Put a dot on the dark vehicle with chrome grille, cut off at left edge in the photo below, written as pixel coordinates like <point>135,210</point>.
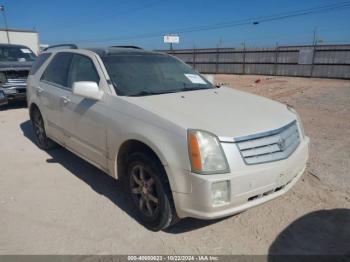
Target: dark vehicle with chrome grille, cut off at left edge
<point>15,63</point>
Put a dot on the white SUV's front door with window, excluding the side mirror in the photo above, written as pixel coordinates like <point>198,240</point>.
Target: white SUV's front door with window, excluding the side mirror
<point>83,118</point>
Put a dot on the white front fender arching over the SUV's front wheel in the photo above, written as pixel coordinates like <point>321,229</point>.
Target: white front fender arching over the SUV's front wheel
<point>129,122</point>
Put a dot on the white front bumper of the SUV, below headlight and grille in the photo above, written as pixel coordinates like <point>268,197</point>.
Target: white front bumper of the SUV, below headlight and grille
<point>221,195</point>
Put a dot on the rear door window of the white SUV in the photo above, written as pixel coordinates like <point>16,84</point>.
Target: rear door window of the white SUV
<point>57,70</point>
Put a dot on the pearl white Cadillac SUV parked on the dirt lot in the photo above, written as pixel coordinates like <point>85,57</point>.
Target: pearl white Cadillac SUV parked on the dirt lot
<point>181,146</point>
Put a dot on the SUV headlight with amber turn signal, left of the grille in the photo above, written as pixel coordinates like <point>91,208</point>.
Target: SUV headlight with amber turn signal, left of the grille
<point>205,152</point>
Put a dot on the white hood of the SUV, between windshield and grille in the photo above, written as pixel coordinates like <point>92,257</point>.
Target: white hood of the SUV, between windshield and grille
<point>226,112</point>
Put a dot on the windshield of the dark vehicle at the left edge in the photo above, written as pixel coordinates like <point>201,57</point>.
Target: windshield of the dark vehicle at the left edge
<point>15,54</point>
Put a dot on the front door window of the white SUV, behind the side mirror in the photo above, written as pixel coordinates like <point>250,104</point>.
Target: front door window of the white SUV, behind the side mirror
<point>82,69</point>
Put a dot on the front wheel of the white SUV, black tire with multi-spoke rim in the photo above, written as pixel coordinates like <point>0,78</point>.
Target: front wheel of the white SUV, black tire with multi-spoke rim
<point>148,192</point>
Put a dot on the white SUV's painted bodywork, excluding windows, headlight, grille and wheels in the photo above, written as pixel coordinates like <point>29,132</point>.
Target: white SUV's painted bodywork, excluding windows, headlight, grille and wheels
<point>96,129</point>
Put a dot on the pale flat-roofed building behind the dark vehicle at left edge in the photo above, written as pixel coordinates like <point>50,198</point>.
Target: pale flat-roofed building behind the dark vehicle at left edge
<point>29,38</point>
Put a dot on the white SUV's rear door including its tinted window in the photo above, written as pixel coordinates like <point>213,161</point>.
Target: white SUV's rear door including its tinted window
<point>55,92</point>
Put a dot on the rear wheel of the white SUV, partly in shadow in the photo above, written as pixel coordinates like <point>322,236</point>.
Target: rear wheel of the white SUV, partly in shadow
<point>42,141</point>
